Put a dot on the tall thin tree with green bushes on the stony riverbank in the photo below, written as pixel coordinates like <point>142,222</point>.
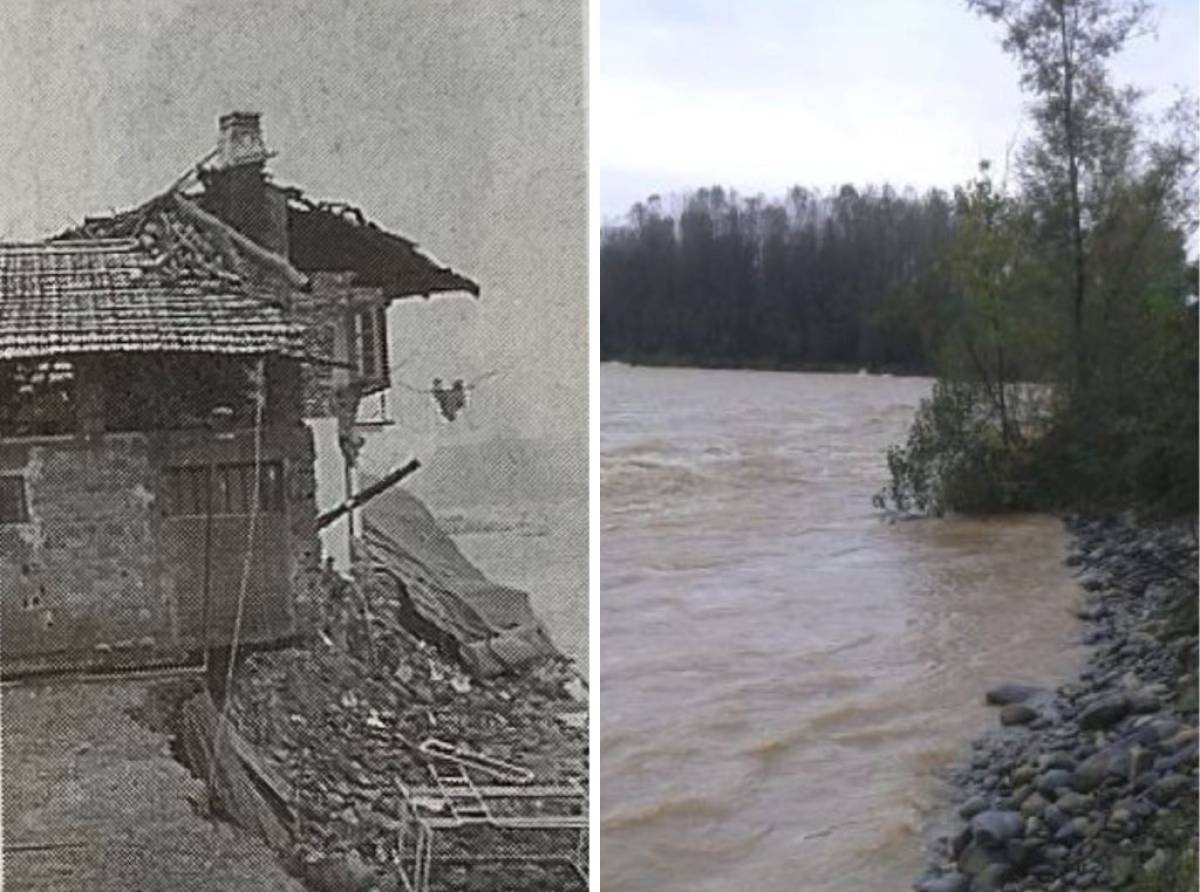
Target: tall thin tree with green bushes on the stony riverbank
<point>1096,240</point>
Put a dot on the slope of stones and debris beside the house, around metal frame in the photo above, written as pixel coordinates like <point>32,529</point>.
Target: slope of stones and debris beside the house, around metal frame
<point>341,719</point>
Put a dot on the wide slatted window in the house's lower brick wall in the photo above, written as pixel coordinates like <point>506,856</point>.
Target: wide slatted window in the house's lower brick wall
<point>232,489</point>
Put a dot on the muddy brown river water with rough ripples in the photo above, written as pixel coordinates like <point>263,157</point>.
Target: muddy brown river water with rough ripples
<point>783,672</point>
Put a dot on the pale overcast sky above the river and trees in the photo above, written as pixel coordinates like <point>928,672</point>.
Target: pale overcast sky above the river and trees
<point>765,94</point>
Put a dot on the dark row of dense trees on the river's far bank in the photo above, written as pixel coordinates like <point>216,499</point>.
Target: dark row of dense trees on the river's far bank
<point>815,280</point>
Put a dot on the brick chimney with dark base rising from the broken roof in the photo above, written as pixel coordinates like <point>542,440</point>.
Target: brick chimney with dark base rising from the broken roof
<point>238,189</point>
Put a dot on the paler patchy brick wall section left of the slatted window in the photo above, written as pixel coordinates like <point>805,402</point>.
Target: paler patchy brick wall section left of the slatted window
<point>80,577</point>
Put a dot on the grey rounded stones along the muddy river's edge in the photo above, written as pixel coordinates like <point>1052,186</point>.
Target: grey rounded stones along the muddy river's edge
<point>1093,787</point>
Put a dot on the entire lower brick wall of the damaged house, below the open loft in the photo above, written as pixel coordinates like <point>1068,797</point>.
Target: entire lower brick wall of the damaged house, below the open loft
<point>99,574</point>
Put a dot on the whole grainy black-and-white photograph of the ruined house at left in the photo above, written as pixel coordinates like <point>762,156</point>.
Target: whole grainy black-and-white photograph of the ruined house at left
<point>293,446</point>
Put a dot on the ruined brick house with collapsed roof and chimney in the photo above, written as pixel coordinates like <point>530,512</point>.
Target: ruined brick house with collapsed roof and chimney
<point>161,373</point>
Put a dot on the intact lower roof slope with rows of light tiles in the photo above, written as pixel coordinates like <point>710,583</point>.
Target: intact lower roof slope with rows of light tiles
<point>129,296</point>
